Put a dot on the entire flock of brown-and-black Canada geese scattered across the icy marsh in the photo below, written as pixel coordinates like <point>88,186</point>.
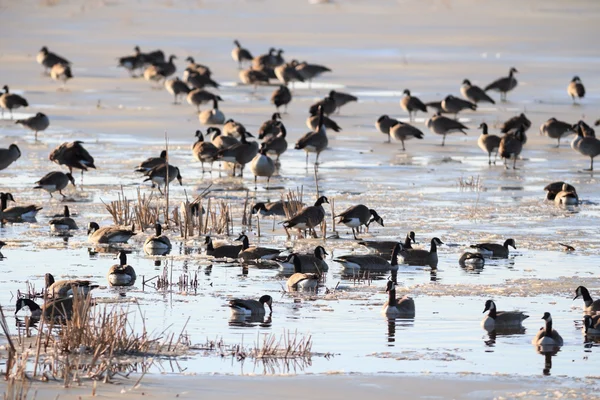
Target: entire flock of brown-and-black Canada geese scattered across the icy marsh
<point>228,141</point>
